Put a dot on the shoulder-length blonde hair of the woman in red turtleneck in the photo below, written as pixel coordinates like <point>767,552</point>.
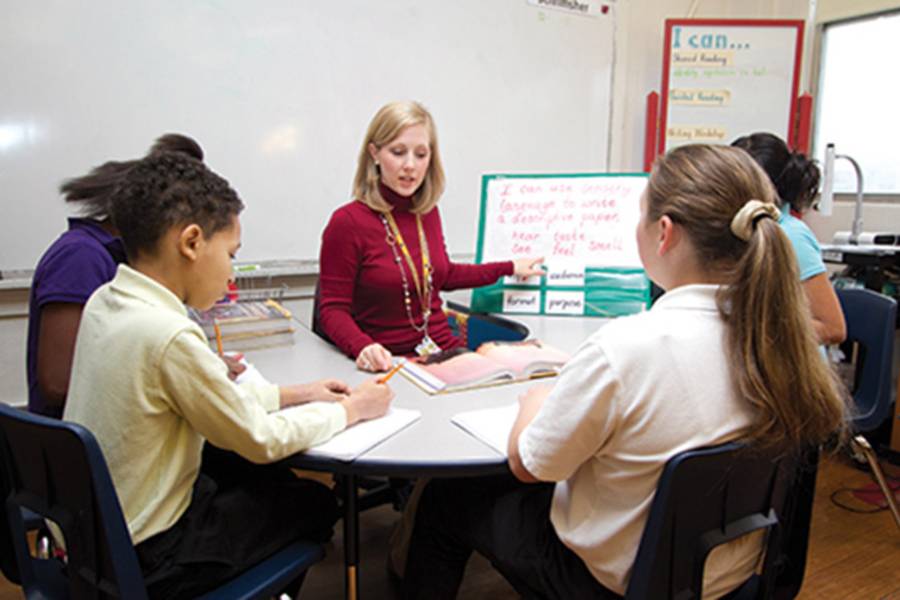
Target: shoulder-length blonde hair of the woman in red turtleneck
<point>390,120</point>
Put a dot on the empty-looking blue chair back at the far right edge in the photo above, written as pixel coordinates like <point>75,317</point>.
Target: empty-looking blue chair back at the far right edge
<point>871,319</point>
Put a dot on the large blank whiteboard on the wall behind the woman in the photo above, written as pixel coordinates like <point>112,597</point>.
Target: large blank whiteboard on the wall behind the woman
<point>280,93</point>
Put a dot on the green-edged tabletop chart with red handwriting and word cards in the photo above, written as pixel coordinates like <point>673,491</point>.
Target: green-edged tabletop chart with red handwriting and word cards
<point>582,224</point>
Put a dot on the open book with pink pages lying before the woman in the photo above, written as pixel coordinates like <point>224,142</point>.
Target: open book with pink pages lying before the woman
<point>492,363</point>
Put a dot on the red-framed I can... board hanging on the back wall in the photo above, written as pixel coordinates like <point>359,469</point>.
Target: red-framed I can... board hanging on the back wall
<point>726,78</point>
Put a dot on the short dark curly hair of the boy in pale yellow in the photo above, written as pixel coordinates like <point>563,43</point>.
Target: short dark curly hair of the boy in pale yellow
<point>167,189</point>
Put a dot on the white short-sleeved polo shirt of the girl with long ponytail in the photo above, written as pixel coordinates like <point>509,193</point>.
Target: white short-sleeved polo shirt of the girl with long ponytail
<point>640,390</point>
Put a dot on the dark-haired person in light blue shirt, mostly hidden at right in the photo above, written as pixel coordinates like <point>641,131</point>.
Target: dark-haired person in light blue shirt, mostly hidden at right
<point>796,181</point>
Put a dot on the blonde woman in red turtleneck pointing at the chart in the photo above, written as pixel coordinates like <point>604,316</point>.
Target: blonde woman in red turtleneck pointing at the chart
<point>383,259</point>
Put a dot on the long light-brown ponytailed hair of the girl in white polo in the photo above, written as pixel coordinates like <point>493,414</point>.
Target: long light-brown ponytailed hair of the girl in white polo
<point>771,342</point>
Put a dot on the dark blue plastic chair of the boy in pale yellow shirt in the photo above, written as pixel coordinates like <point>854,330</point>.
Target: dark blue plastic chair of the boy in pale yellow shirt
<point>57,470</point>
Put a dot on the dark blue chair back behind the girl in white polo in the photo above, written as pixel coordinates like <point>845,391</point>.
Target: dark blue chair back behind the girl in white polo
<point>710,496</point>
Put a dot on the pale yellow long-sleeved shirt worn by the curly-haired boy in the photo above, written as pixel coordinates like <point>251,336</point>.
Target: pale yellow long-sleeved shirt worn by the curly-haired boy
<point>146,383</point>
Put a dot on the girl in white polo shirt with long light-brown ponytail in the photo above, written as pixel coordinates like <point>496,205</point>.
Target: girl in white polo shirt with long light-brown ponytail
<point>728,353</point>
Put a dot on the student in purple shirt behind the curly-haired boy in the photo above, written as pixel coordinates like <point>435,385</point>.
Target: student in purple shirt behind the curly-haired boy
<point>77,263</point>
